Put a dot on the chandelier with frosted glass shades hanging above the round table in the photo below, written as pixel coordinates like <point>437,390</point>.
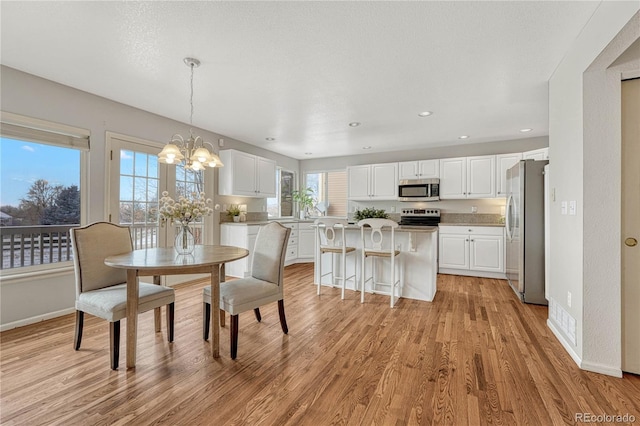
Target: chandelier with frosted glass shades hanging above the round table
<point>191,151</point>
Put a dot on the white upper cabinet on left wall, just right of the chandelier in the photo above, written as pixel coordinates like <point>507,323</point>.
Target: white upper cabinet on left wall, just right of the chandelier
<point>246,175</point>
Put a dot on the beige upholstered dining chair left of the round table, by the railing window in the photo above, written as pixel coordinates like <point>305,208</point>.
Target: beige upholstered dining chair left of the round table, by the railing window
<point>102,291</point>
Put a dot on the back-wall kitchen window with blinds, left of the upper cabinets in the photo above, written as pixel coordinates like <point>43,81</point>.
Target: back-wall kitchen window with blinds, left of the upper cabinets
<point>330,189</point>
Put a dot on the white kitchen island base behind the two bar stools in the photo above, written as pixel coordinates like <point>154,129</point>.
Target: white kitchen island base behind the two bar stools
<point>418,260</point>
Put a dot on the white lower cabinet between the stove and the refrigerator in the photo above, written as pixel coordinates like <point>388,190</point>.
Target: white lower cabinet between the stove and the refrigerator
<point>471,250</point>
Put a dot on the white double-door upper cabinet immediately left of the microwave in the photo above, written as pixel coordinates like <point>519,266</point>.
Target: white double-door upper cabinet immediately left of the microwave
<point>373,182</point>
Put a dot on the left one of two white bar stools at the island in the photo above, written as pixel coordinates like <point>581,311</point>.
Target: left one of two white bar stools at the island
<point>330,238</point>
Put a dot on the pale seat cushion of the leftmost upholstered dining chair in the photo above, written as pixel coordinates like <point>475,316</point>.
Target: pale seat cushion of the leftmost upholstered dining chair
<point>110,303</point>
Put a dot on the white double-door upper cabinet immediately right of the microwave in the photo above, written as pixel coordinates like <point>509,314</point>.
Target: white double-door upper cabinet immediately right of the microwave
<point>468,177</point>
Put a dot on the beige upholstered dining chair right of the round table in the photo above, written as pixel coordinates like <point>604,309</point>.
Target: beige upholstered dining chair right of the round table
<point>265,285</point>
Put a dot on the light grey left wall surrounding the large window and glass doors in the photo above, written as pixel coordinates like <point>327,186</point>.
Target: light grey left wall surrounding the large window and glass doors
<point>34,298</point>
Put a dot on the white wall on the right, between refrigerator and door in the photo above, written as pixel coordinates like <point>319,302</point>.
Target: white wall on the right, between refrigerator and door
<point>584,144</point>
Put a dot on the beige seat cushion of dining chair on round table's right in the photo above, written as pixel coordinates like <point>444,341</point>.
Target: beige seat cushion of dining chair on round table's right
<point>244,294</point>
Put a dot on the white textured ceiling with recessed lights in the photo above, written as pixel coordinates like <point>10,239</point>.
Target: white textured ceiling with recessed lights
<point>301,71</point>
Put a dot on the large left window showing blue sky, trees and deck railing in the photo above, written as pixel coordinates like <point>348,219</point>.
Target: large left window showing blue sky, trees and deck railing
<point>41,176</point>
